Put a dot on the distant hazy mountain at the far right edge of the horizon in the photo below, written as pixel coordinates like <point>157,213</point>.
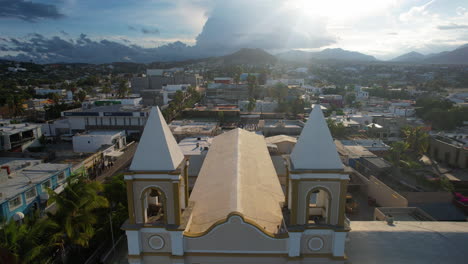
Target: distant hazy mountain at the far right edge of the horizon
<point>456,56</point>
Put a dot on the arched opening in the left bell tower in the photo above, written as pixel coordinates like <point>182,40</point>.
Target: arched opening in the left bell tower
<point>154,207</point>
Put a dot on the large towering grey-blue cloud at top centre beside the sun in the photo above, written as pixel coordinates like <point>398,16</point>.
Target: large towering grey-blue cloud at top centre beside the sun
<point>260,24</point>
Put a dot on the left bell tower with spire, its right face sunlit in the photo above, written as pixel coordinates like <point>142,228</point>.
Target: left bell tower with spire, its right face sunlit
<point>156,184</point>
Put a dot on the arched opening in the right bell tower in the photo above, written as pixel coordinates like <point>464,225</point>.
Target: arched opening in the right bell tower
<point>319,206</point>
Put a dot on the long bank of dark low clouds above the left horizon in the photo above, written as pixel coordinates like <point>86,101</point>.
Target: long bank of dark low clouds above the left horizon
<point>42,49</point>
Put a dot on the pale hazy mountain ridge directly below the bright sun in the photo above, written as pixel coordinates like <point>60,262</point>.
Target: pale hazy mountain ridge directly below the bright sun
<point>326,54</point>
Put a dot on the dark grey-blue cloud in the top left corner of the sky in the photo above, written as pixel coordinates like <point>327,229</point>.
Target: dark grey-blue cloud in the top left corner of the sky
<point>28,11</point>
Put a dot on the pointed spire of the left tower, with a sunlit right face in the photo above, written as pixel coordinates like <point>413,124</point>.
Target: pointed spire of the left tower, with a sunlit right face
<point>158,149</point>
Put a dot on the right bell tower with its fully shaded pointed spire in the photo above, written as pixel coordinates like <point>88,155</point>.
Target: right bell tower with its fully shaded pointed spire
<point>317,183</point>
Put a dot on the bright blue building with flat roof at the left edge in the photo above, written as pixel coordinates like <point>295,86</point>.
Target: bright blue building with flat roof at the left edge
<point>24,183</point>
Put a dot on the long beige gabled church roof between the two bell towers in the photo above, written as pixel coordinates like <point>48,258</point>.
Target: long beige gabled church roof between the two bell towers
<point>237,176</point>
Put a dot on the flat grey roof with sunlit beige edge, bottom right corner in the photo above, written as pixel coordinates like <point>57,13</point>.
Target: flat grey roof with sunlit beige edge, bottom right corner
<point>407,242</point>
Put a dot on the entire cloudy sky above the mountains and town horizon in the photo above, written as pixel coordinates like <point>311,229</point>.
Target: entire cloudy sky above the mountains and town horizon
<point>56,29</point>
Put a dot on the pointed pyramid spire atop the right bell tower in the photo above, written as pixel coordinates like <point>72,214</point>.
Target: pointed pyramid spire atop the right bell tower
<point>315,149</point>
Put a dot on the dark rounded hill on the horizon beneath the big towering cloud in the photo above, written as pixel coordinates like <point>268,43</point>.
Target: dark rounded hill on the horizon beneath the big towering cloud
<point>248,56</point>
